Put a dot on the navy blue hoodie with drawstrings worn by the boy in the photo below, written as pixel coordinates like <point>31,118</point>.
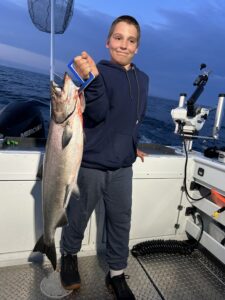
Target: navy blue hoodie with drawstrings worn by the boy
<point>115,105</point>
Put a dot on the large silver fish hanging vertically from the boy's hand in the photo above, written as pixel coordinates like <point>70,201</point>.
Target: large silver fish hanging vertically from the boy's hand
<point>64,149</point>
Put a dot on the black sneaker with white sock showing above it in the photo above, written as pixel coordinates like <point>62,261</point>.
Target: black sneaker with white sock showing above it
<point>119,287</point>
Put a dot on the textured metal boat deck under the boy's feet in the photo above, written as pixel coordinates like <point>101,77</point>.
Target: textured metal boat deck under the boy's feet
<point>156,276</point>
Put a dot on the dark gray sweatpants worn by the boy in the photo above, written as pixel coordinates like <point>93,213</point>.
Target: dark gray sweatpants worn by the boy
<point>115,189</point>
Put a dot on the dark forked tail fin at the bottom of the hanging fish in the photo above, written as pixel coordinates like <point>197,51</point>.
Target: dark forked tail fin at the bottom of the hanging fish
<point>49,250</point>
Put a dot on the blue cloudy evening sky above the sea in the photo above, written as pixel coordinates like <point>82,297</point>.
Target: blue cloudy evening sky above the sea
<point>176,37</point>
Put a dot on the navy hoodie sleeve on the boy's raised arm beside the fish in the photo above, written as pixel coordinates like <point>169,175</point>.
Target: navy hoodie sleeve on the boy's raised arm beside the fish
<point>97,102</point>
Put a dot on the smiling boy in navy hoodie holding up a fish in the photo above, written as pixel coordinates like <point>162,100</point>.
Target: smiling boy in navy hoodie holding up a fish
<point>115,105</point>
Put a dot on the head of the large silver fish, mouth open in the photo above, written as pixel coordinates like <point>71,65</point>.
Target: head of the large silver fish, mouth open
<point>64,100</point>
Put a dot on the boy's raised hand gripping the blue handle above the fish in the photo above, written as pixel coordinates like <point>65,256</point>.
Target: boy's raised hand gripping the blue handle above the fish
<point>84,64</point>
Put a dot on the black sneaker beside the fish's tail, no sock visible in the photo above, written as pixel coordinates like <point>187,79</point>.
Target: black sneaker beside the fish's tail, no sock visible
<point>70,277</point>
